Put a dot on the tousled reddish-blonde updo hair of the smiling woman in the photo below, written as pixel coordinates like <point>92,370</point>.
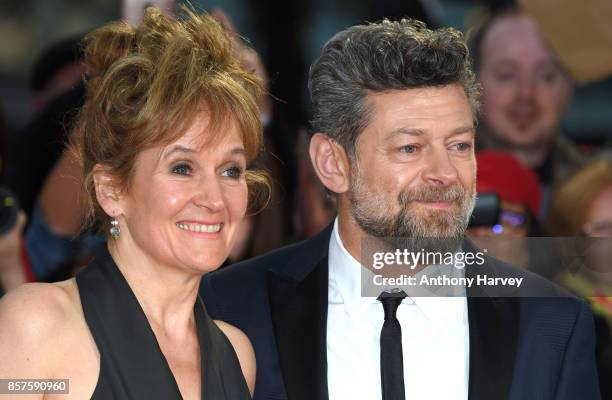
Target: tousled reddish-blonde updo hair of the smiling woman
<point>146,84</point>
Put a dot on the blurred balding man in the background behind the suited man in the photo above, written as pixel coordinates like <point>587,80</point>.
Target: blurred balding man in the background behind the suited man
<point>526,91</point>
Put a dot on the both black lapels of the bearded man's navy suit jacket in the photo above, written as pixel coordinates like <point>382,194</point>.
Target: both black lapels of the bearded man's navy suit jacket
<point>298,305</point>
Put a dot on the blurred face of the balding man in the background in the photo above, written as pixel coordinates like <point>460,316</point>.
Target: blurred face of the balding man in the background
<point>526,91</point>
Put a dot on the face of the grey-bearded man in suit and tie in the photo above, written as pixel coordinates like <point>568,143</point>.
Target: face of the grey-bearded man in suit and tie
<point>415,171</point>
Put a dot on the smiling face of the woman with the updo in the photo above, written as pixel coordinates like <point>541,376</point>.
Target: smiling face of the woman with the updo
<point>186,200</point>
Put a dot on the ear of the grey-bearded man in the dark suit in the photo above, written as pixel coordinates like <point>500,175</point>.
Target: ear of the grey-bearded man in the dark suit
<point>330,162</point>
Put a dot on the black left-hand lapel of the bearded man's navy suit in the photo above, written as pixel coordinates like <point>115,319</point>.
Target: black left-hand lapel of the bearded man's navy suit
<point>299,316</point>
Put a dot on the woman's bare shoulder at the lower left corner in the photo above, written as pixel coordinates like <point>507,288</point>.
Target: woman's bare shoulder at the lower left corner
<point>44,334</point>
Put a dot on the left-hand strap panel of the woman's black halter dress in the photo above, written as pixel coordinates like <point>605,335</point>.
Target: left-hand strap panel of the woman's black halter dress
<point>132,364</point>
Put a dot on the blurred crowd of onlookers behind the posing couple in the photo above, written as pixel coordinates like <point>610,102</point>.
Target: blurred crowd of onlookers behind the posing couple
<point>544,138</point>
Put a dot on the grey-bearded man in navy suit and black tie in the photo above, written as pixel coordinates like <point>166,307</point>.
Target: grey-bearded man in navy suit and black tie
<point>394,109</point>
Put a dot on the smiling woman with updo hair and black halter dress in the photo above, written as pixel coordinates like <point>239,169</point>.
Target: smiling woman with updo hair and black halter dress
<point>169,124</point>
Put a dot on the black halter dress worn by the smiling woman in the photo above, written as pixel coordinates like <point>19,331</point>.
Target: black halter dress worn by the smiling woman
<point>132,365</point>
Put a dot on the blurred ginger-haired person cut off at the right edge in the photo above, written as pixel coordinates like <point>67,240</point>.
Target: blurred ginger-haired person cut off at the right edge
<point>583,208</point>
